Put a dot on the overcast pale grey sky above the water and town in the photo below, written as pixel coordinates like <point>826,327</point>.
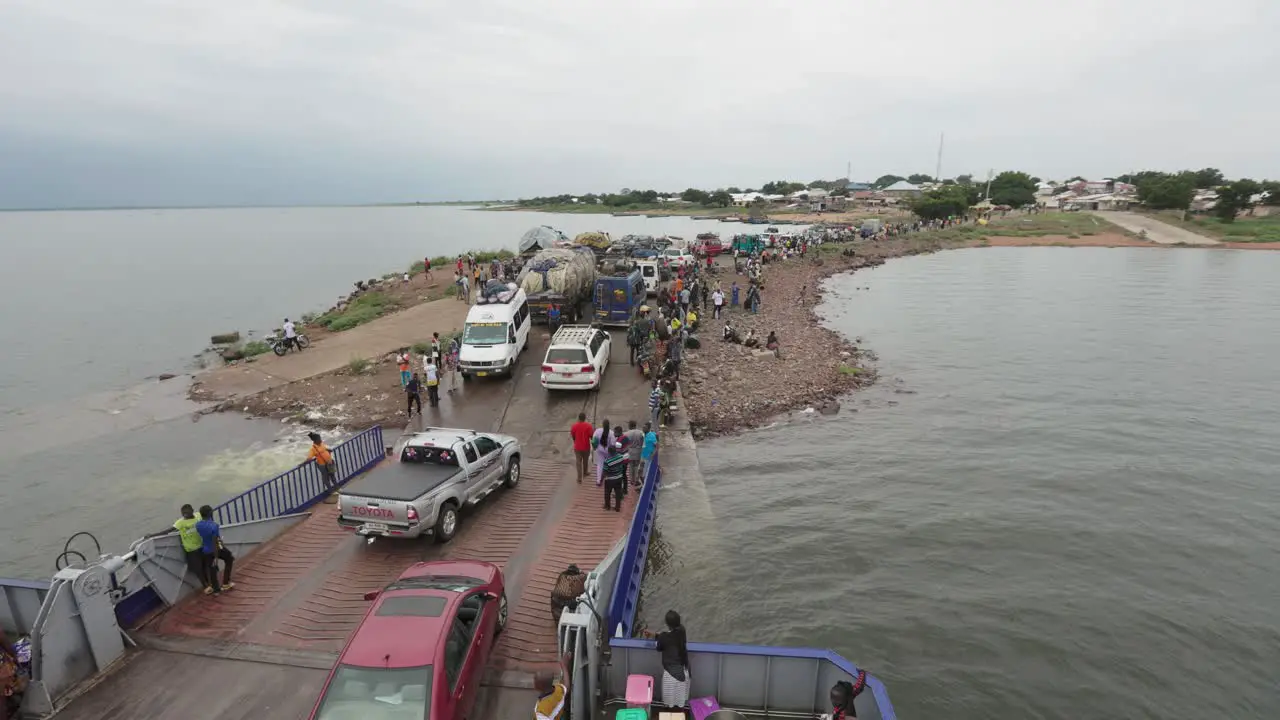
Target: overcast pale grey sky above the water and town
<point>273,102</point>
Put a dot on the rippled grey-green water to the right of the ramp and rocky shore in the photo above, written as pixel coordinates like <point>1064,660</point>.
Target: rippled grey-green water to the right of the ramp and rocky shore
<point>1060,502</point>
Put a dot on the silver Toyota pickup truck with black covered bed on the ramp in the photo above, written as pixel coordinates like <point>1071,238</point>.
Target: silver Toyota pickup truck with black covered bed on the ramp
<point>437,473</point>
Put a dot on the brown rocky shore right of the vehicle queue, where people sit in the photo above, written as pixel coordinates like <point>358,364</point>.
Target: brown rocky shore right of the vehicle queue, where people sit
<point>729,388</point>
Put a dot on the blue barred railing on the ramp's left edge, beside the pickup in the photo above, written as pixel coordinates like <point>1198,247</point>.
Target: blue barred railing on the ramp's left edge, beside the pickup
<point>303,487</point>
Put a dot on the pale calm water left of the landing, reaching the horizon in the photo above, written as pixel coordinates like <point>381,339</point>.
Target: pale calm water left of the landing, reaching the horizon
<point>102,303</point>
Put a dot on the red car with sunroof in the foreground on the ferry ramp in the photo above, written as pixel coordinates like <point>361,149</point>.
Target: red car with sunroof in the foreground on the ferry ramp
<point>422,648</point>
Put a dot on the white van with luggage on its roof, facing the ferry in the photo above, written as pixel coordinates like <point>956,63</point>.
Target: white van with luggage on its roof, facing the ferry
<point>495,334</point>
